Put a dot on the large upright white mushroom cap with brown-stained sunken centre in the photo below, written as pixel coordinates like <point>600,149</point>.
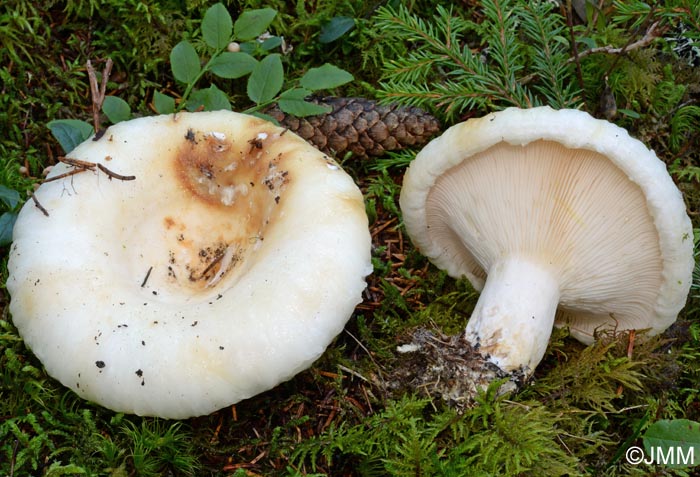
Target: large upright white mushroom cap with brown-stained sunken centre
<point>226,267</point>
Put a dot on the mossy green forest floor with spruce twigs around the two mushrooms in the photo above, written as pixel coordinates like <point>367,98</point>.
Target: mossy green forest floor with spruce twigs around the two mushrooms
<point>457,59</point>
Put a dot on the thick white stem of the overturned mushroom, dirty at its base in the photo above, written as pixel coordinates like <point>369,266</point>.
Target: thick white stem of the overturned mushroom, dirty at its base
<point>514,316</point>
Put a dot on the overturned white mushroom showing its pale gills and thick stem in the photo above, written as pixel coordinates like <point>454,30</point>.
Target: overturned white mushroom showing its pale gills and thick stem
<point>550,211</point>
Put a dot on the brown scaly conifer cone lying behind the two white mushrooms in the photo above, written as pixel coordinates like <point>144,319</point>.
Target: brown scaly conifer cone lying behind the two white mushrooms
<point>361,126</point>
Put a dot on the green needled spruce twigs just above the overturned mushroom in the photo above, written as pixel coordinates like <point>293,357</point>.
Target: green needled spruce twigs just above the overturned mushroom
<point>442,73</point>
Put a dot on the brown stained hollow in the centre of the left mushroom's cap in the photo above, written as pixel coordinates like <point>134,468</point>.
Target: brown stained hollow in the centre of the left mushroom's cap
<point>242,183</point>
